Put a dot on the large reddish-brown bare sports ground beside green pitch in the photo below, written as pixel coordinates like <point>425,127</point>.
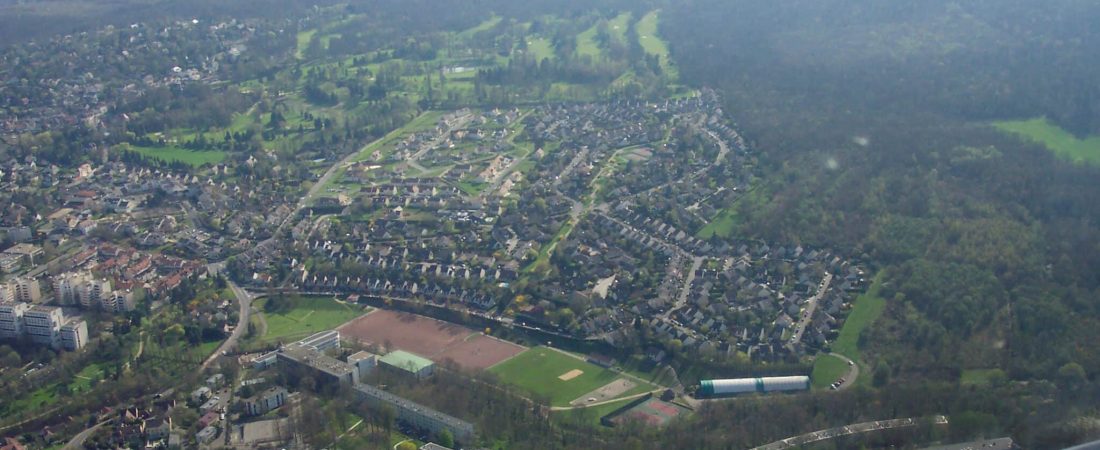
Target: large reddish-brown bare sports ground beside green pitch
<point>434,339</point>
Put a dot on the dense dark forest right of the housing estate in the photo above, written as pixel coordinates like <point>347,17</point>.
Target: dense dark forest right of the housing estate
<point>874,124</point>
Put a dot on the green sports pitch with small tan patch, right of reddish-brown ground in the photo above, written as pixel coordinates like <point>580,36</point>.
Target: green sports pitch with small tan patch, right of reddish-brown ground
<point>538,370</point>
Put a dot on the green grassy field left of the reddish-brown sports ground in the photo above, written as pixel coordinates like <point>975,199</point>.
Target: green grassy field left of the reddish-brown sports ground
<point>310,316</point>
